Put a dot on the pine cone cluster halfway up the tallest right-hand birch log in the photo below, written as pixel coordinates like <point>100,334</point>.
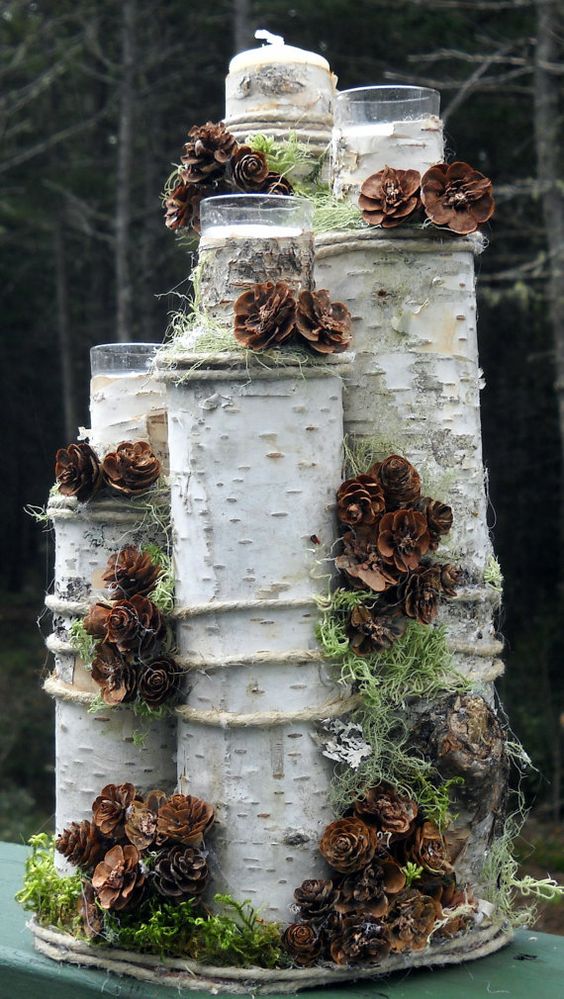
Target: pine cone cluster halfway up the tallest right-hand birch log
<point>390,531</point>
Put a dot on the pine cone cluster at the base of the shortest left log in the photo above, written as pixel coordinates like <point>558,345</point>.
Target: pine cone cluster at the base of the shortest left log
<point>137,846</point>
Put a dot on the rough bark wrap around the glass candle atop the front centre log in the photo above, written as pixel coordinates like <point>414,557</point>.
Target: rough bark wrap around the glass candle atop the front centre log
<point>229,267</point>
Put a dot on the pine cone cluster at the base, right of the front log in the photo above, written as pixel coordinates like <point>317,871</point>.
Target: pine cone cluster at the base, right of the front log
<point>393,887</point>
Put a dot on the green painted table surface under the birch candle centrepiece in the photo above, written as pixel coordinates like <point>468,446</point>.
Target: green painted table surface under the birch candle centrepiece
<point>532,967</point>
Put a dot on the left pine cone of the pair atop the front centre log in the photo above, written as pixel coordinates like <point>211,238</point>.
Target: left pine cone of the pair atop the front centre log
<point>265,316</point>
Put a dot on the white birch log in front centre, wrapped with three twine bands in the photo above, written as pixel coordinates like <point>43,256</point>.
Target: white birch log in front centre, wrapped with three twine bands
<point>255,461</point>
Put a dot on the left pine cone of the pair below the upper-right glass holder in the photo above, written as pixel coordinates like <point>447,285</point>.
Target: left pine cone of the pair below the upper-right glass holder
<point>389,197</point>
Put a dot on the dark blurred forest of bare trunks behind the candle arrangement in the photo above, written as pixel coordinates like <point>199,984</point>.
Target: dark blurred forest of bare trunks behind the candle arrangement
<point>95,99</point>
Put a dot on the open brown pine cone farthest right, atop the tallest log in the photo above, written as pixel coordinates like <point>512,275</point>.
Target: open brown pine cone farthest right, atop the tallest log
<point>457,196</point>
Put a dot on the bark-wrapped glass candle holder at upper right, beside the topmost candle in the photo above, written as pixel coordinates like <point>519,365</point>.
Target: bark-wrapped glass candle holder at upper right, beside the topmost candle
<point>395,126</point>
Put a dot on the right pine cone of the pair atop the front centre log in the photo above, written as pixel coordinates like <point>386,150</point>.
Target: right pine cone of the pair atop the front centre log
<point>326,326</point>
